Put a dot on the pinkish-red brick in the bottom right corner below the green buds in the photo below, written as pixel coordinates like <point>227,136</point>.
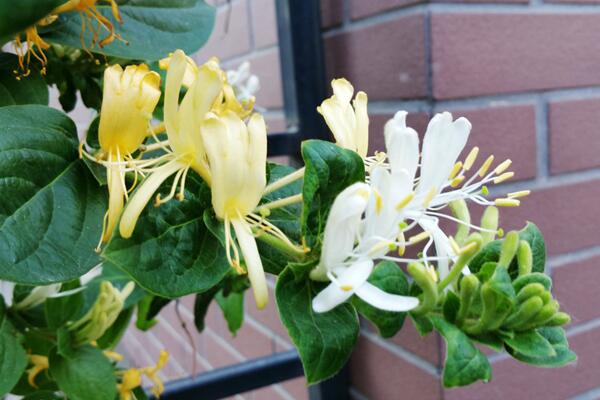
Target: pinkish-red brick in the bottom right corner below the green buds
<point>513,380</point>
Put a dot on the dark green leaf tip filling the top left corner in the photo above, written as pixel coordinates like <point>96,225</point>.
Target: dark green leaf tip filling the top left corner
<point>14,18</point>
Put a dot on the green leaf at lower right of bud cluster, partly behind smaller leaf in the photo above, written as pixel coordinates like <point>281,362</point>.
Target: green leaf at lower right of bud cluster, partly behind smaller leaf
<point>557,338</point>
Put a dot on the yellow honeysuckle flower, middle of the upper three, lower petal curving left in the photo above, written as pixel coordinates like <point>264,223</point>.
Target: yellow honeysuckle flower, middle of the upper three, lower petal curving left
<point>184,148</point>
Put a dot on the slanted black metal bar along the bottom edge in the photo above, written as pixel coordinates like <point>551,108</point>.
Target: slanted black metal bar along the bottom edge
<point>236,379</point>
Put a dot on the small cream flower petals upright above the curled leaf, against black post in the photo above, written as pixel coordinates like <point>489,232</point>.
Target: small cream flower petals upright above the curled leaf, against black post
<point>349,123</point>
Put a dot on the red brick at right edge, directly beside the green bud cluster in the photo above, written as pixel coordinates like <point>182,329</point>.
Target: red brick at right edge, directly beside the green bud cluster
<point>576,288</point>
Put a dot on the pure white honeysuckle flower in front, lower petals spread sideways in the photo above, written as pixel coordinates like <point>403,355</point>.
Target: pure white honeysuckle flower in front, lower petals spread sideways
<point>348,266</point>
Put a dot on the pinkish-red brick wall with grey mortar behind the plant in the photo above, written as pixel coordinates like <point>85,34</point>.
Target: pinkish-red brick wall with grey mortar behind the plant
<point>527,75</point>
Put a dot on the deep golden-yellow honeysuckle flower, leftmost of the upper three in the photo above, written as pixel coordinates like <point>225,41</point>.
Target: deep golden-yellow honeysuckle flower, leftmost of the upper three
<point>129,99</point>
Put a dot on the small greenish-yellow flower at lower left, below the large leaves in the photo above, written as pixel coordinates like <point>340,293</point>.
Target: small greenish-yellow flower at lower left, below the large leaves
<point>103,314</point>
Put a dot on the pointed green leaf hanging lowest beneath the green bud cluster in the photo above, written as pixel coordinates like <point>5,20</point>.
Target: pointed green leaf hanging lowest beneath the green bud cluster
<point>464,363</point>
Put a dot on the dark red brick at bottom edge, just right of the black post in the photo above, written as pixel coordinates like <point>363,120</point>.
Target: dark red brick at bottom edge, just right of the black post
<point>379,374</point>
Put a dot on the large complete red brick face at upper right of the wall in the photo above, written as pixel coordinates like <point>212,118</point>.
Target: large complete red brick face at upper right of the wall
<point>481,54</point>
